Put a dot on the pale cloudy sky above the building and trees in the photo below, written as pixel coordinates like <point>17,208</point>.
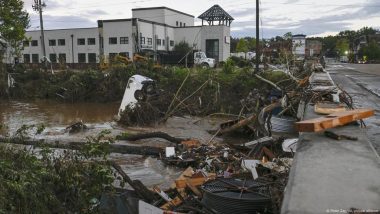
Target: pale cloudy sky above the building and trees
<point>310,17</point>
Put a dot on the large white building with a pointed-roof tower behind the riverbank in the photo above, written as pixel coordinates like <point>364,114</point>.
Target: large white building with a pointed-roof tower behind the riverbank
<point>155,29</point>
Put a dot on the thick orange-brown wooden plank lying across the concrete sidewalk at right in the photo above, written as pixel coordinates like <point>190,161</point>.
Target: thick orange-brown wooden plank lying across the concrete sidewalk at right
<point>333,120</point>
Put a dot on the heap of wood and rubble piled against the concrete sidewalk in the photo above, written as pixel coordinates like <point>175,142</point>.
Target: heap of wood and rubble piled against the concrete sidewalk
<point>251,177</point>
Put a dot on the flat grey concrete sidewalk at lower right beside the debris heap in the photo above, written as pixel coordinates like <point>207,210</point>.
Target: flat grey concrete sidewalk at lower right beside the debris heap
<point>333,176</point>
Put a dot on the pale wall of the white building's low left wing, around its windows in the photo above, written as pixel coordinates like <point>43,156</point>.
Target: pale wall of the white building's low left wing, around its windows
<point>70,48</point>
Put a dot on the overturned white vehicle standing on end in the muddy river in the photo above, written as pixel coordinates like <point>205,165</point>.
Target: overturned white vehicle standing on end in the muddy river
<point>139,88</point>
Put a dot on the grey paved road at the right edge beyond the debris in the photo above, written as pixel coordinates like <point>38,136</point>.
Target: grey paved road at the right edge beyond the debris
<point>363,83</point>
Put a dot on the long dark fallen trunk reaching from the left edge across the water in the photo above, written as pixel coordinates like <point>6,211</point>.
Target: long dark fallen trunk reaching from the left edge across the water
<point>113,148</point>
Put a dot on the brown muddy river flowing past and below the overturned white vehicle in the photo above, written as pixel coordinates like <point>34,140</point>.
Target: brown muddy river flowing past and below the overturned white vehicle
<point>98,116</point>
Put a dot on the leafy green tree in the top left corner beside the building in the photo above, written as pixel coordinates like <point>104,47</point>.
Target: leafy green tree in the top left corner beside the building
<point>13,22</point>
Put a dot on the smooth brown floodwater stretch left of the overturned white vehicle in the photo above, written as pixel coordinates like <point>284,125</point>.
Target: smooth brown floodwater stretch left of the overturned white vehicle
<point>14,114</point>
